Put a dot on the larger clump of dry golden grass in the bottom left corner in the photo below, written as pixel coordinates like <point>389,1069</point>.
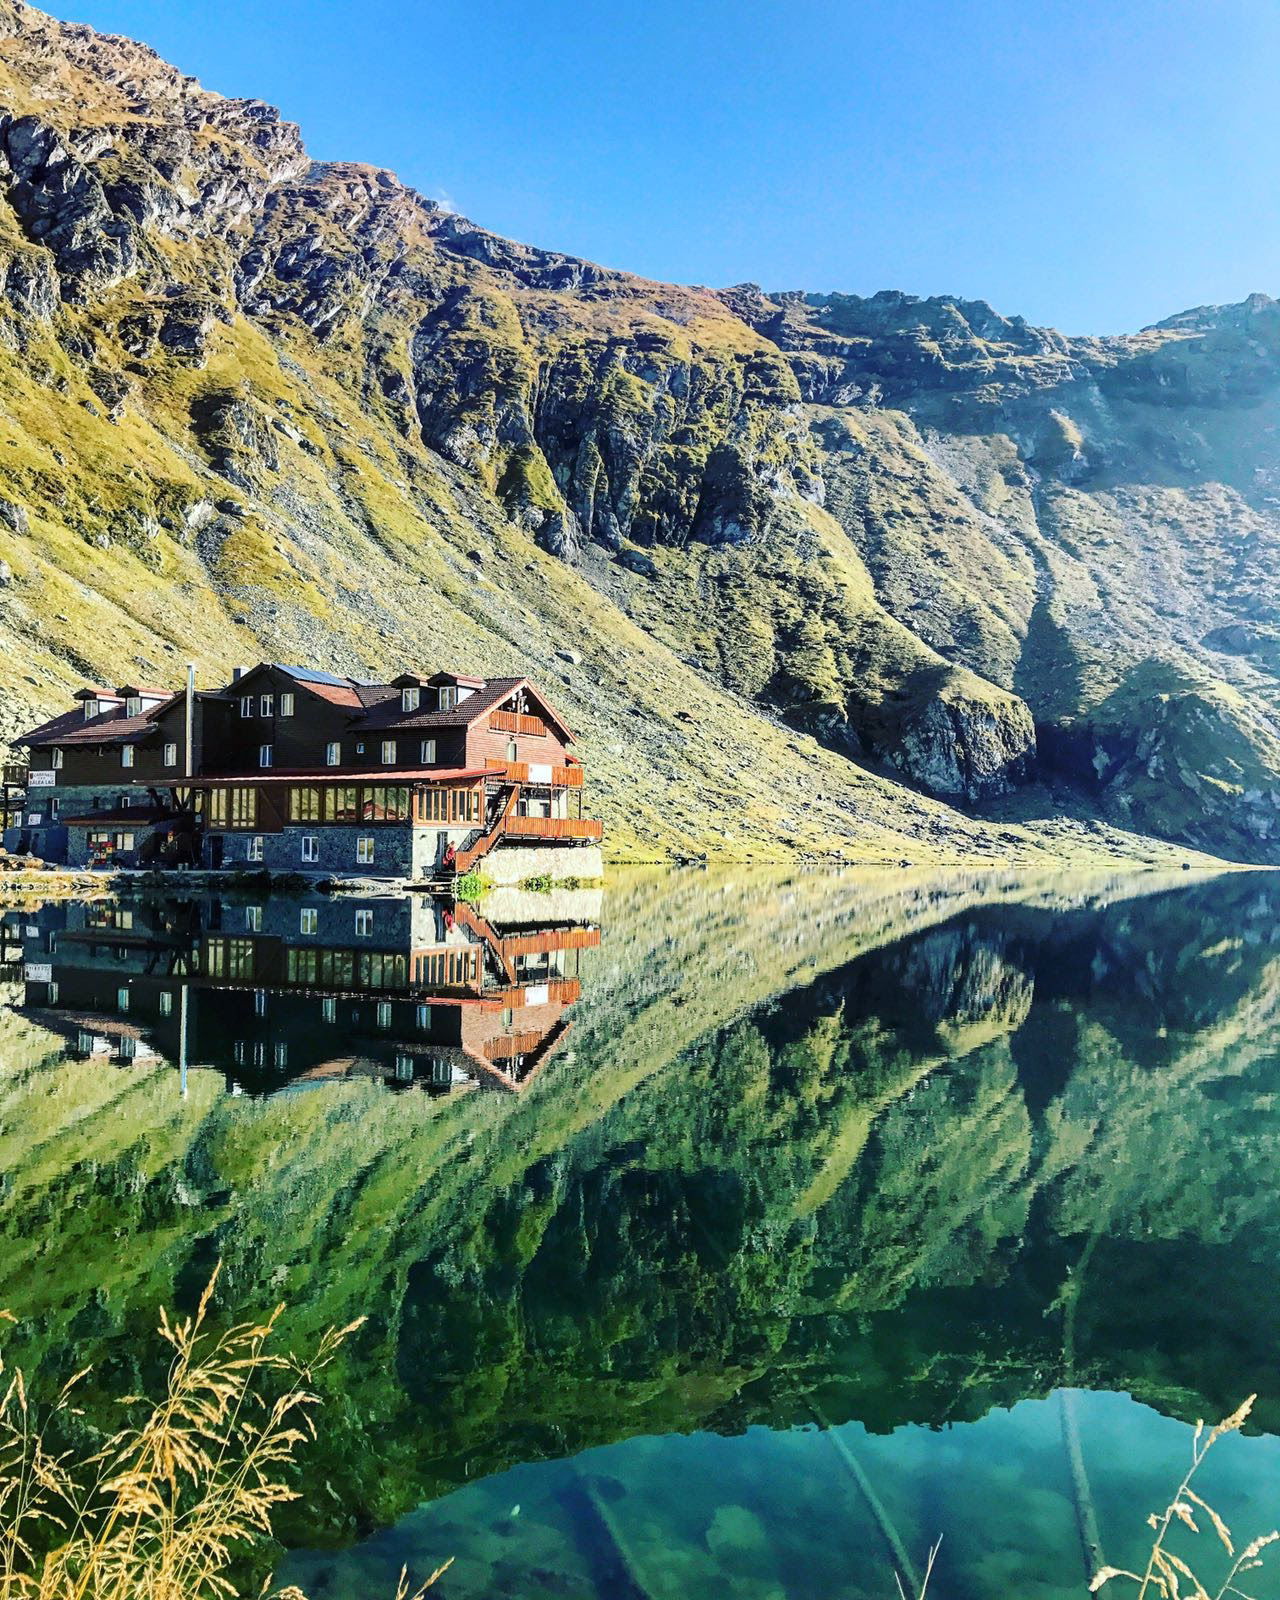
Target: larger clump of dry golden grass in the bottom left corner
<point>169,1503</point>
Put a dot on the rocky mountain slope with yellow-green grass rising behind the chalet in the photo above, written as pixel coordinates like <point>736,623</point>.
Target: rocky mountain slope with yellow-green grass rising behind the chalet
<point>809,572</point>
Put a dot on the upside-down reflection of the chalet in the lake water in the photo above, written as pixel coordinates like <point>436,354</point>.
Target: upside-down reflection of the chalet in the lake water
<point>295,993</point>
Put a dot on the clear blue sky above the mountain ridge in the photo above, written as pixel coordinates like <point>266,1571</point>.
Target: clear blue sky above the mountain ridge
<point>1094,166</point>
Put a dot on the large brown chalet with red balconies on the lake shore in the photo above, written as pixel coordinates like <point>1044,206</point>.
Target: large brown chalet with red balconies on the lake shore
<point>297,772</point>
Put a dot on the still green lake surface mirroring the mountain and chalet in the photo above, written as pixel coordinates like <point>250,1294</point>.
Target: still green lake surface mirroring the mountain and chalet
<point>734,1234</point>
